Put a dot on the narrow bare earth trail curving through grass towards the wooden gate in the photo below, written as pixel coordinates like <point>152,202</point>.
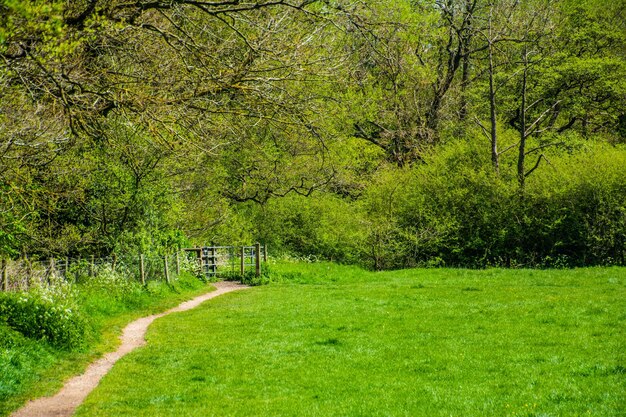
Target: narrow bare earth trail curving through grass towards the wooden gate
<point>75,390</point>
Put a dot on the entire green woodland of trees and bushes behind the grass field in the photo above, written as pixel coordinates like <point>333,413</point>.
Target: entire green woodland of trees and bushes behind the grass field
<point>389,133</point>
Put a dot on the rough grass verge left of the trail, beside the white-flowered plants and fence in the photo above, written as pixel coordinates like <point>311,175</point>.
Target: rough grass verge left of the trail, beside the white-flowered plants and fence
<point>32,368</point>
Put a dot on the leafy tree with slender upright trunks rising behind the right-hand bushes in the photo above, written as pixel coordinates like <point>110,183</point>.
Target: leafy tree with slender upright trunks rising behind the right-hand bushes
<point>535,79</point>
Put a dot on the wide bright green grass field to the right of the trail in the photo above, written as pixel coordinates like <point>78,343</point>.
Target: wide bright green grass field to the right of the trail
<point>338,341</point>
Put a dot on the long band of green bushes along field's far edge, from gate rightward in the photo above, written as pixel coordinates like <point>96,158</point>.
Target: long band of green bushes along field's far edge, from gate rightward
<point>455,210</point>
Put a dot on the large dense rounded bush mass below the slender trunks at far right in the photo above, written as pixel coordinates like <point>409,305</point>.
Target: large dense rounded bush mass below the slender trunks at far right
<point>571,213</point>
